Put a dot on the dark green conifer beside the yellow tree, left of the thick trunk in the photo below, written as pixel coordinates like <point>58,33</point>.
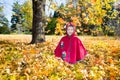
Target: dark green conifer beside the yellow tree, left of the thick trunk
<point>17,18</point>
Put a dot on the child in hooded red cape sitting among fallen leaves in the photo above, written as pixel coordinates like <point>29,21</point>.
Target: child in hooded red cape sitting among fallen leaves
<point>70,47</point>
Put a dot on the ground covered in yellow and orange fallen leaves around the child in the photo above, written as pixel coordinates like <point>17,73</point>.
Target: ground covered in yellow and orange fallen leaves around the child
<point>22,61</point>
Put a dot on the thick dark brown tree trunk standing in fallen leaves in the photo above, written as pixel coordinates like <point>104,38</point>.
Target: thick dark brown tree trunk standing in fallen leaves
<point>38,25</point>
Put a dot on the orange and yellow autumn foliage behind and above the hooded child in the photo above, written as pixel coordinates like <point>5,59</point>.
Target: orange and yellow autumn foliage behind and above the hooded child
<point>94,17</point>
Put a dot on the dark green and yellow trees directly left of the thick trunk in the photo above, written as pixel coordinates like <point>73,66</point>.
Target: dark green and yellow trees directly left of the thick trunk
<point>22,17</point>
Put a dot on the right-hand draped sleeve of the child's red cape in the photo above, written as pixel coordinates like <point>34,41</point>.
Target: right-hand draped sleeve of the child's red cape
<point>81,51</point>
